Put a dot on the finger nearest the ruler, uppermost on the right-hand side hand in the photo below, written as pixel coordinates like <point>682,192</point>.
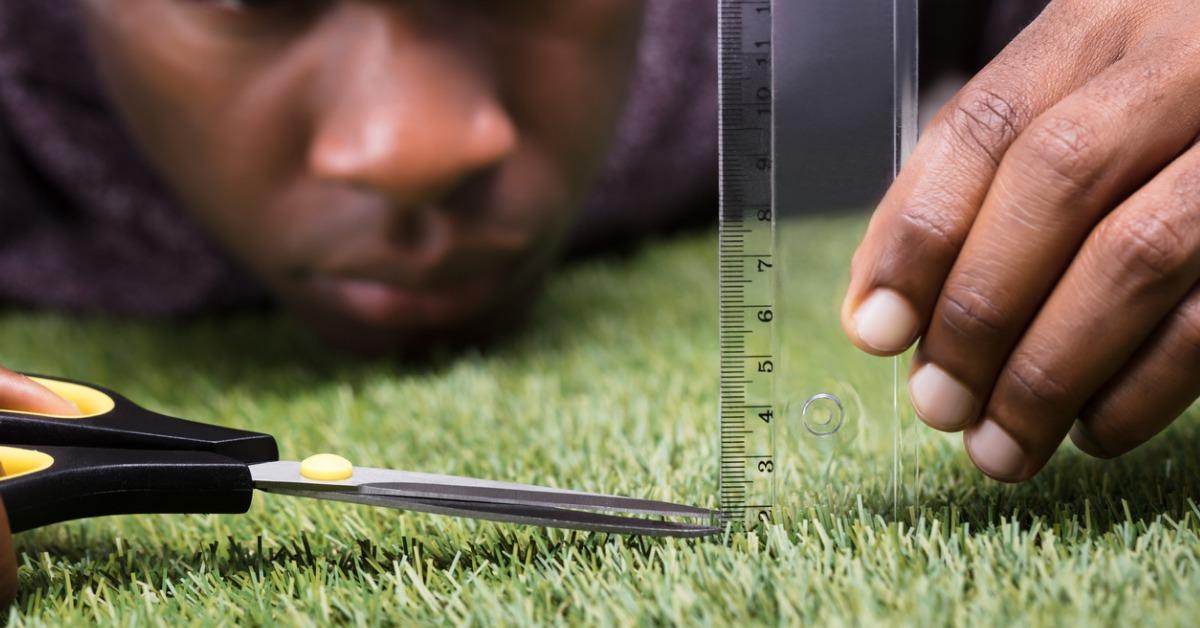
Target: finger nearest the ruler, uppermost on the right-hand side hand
<point>925,219</point>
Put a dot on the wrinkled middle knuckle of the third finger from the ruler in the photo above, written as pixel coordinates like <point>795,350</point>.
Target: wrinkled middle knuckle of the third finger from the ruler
<point>1143,250</point>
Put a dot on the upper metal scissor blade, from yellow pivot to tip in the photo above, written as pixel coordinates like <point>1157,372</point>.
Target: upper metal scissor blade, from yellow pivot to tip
<point>537,499</point>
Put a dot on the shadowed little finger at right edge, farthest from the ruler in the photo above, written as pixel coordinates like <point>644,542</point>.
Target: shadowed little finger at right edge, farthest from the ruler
<point>1159,385</point>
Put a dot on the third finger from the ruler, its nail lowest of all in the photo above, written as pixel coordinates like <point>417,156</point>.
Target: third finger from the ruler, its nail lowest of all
<point>1135,270</point>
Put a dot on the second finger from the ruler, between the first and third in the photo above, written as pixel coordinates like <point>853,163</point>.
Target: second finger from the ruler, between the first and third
<point>1076,163</point>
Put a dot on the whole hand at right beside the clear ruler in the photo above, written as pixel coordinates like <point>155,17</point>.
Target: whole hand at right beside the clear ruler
<point>1045,242</point>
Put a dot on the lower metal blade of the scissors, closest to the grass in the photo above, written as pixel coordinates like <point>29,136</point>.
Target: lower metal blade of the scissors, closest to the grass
<point>517,515</point>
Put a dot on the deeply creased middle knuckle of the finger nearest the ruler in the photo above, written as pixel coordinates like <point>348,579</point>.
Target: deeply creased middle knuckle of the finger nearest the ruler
<point>986,121</point>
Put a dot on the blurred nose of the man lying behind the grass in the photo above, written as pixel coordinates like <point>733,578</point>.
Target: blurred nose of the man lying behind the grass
<point>406,116</point>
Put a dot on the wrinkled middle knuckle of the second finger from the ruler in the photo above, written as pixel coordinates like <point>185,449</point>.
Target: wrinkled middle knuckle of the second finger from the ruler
<point>1067,149</point>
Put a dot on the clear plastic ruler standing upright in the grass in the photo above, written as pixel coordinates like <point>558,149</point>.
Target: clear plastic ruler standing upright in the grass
<point>818,110</point>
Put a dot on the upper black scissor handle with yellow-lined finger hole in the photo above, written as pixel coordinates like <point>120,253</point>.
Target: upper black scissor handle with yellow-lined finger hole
<point>123,424</point>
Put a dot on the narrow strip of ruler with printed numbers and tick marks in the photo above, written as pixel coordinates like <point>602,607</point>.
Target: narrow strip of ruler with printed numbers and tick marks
<point>748,411</point>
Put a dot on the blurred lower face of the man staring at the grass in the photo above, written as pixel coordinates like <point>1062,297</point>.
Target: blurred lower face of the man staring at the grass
<point>395,171</point>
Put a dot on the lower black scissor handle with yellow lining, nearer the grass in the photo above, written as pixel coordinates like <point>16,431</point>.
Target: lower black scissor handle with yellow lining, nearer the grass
<point>67,483</point>
